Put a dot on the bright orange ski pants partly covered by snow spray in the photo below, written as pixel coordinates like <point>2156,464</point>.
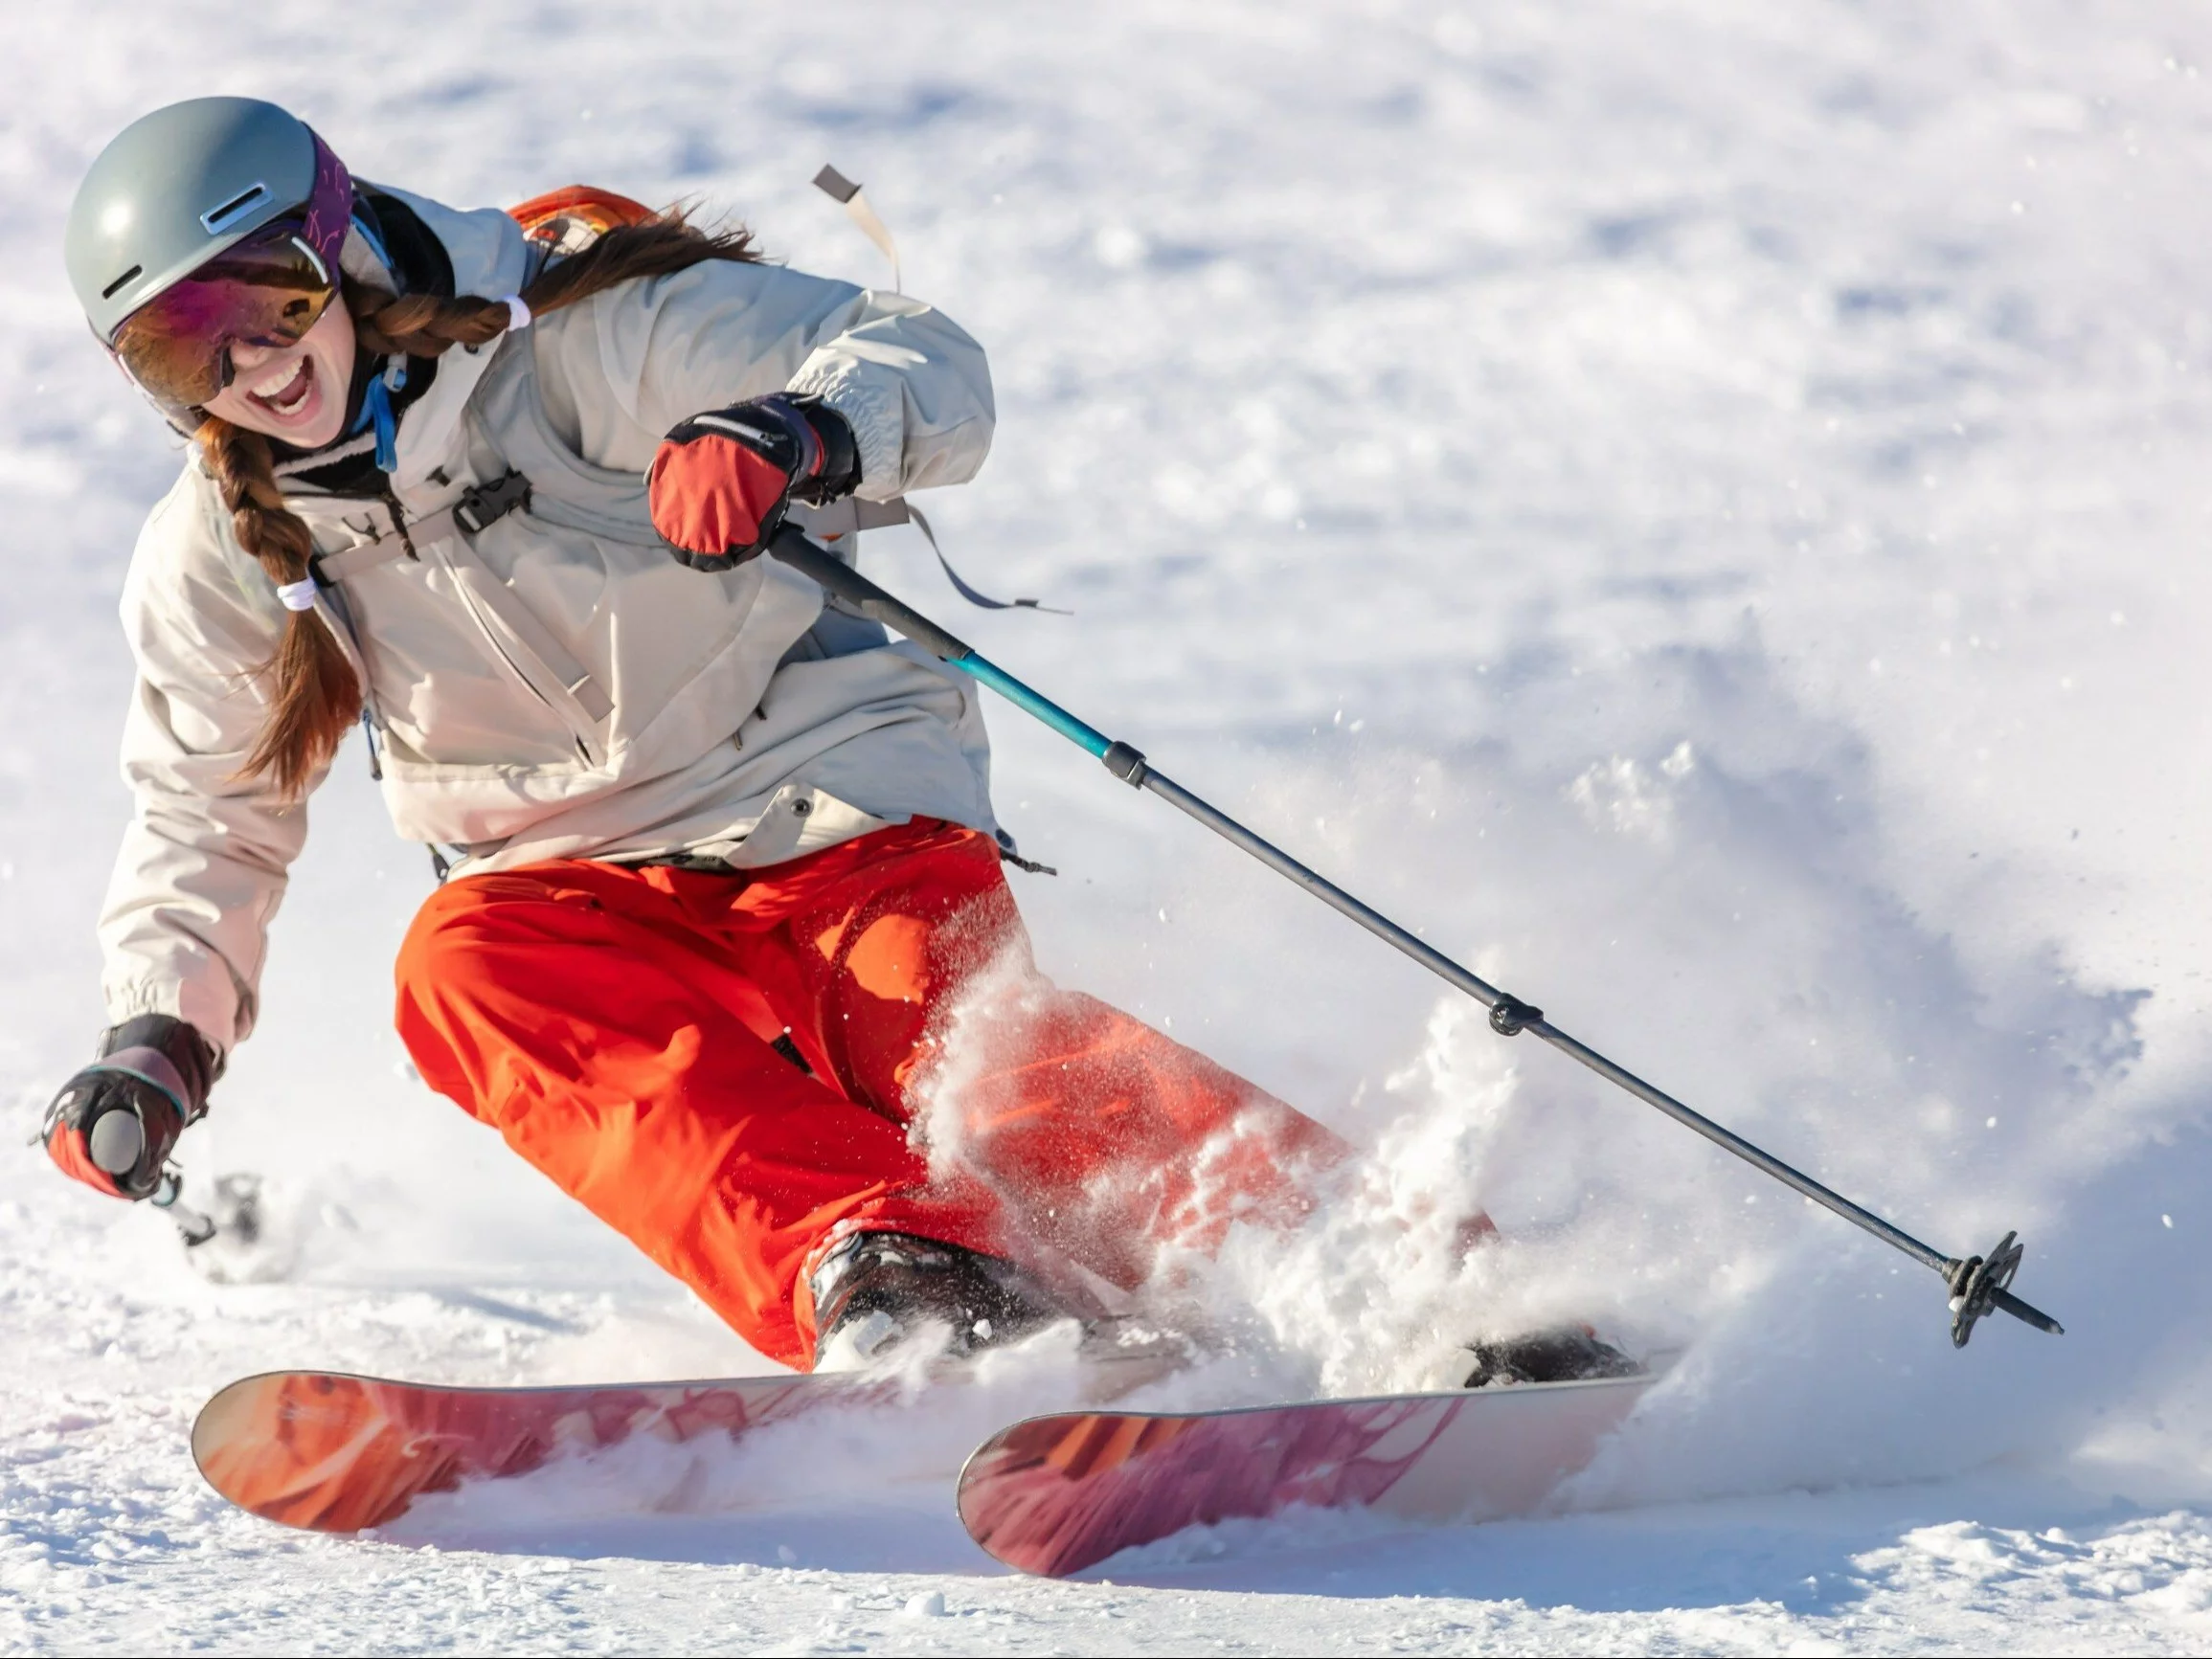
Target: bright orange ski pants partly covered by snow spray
<point>618,1027</point>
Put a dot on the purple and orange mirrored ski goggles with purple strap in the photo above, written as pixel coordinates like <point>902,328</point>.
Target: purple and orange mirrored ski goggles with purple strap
<point>269,289</point>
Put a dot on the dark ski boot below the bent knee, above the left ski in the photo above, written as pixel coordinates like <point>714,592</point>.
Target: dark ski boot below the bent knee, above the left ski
<point>879,1291</point>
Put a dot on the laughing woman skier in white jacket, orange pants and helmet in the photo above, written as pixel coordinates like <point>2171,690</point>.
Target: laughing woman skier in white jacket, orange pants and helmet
<point>497,486</point>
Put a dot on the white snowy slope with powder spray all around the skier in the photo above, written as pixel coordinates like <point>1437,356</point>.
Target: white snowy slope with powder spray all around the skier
<point>1698,505</point>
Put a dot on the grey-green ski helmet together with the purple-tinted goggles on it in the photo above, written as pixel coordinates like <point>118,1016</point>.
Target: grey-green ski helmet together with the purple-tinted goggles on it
<point>205,225</point>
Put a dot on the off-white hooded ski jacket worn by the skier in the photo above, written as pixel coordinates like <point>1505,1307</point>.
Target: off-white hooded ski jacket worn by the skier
<point>552,685</point>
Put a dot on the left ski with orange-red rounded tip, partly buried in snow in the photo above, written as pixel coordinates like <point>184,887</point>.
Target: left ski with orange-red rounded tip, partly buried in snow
<point>340,1454</point>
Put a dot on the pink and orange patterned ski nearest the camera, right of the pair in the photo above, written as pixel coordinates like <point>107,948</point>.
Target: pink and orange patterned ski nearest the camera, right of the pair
<point>1065,1492</point>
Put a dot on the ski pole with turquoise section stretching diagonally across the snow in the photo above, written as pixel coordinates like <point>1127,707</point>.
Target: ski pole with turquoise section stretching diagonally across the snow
<point>1979,1284</point>
